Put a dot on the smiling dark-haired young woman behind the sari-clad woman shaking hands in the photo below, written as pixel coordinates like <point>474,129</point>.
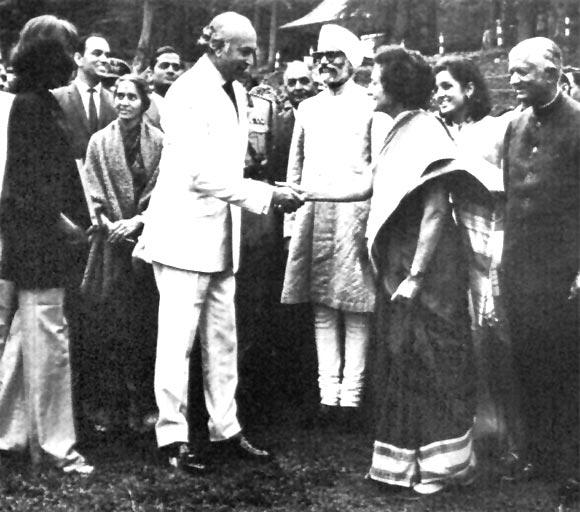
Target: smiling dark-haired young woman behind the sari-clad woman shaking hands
<point>462,97</point>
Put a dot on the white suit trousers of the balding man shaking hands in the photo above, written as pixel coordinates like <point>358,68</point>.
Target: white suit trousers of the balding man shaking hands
<point>188,301</point>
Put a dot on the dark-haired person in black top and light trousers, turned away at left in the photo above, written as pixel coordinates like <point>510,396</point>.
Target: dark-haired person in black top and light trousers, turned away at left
<point>42,215</point>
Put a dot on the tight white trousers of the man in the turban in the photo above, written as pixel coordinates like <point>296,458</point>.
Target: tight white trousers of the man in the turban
<point>347,391</point>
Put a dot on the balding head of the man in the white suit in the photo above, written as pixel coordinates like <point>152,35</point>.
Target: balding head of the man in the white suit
<point>231,41</point>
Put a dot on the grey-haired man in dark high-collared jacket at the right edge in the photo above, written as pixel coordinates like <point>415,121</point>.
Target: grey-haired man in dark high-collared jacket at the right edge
<point>541,258</point>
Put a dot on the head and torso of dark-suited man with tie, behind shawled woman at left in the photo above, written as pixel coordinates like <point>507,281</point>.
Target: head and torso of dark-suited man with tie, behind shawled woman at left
<point>87,105</point>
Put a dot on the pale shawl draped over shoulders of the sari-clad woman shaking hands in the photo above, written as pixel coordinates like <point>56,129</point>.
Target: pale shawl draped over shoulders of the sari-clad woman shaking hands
<point>419,149</point>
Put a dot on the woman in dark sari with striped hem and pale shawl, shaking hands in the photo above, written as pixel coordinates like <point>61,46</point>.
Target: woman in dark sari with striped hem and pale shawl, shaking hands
<point>420,254</point>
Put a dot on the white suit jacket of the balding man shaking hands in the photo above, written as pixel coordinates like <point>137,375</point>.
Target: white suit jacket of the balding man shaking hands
<point>201,175</point>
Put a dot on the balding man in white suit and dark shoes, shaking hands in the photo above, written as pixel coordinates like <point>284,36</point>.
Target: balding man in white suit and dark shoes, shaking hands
<point>193,238</point>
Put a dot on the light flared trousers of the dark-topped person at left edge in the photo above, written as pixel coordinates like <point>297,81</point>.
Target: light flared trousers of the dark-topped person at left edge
<point>35,380</point>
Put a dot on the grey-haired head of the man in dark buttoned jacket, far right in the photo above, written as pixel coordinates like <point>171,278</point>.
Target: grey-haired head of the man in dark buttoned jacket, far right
<point>535,66</point>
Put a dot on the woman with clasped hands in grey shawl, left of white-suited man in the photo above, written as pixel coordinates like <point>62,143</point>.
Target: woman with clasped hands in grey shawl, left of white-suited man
<point>121,169</point>
